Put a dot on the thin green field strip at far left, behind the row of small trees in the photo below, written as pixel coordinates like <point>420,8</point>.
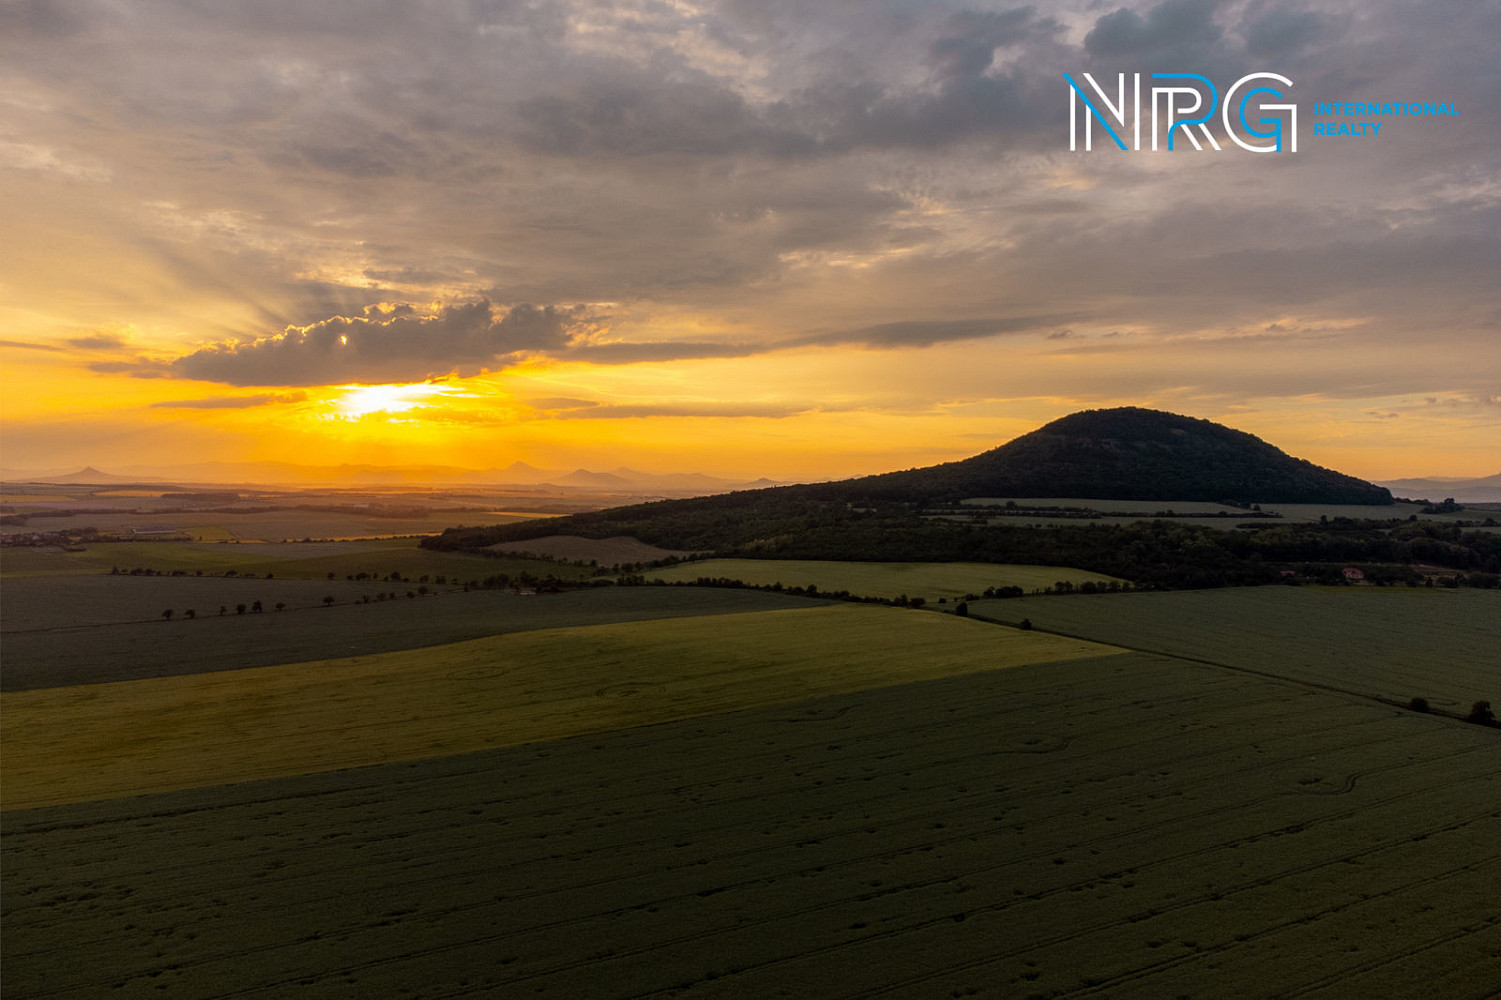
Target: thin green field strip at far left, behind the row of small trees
<point>295,561</point>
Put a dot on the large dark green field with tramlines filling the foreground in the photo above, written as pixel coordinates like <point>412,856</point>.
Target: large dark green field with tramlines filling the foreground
<point>1128,827</point>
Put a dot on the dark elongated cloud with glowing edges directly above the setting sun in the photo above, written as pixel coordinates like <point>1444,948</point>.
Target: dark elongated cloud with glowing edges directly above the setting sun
<point>385,348</point>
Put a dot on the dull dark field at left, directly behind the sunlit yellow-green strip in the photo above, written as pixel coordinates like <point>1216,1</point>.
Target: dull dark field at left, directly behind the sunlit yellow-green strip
<point>65,657</point>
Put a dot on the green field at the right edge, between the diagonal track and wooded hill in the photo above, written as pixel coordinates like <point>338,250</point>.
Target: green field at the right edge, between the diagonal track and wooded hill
<point>1388,642</point>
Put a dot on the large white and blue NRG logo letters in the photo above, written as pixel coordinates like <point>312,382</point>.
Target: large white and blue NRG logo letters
<point>1175,110</point>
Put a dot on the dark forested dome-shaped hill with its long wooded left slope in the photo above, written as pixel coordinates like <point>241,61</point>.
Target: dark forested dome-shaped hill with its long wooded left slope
<point>1127,454</point>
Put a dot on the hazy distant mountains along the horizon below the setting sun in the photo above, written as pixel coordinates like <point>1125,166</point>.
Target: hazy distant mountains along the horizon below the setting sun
<point>621,480</point>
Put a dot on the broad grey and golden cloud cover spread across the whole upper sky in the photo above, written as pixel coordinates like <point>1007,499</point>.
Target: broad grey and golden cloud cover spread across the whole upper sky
<point>835,175</point>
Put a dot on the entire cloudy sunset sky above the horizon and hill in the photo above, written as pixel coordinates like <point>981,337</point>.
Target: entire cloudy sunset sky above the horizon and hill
<point>763,238</point>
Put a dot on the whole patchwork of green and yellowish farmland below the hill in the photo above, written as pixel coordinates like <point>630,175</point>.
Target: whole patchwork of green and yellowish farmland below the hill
<point>660,792</point>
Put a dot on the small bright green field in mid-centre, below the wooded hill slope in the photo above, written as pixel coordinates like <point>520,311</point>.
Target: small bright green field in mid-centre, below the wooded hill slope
<point>879,580</point>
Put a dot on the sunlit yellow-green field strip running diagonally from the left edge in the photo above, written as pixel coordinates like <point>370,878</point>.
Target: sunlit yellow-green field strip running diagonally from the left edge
<point>145,736</point>
